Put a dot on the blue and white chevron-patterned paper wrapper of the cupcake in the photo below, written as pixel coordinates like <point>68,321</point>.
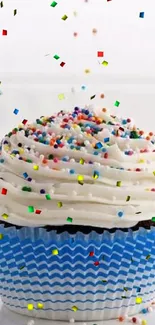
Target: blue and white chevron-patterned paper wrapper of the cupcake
<point>85,277</point>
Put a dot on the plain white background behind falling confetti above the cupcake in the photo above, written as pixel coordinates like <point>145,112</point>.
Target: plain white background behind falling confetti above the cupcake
<point>31,80</point>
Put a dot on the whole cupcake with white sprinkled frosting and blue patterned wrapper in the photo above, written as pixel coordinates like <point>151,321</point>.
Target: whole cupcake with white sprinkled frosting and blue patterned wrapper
<point>77,213</point>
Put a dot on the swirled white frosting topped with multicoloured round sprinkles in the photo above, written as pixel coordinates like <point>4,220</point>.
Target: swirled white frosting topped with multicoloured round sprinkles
<point>80,168</point>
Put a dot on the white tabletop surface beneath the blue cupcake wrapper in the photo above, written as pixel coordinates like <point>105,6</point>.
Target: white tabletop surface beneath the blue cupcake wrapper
<point>9,318</point>
